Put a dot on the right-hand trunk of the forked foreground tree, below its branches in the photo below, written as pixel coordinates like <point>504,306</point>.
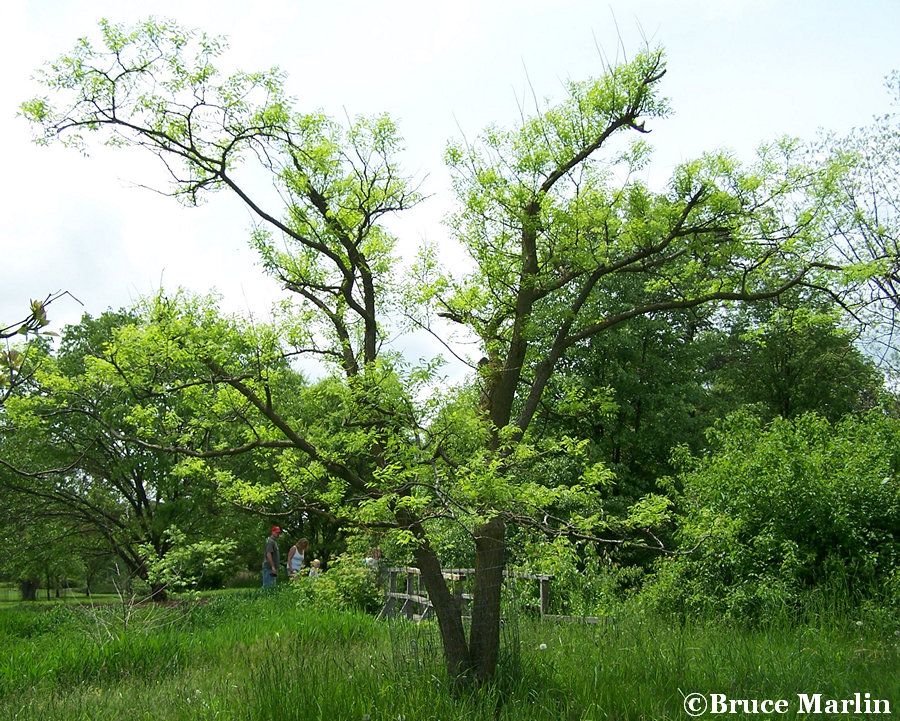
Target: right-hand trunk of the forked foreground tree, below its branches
<point>484,642</point>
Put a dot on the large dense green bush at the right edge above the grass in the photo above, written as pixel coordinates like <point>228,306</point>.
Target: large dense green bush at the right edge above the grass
<point>774,512</point>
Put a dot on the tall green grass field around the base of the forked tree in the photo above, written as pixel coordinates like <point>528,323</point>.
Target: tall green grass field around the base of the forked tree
<point>250,657</point>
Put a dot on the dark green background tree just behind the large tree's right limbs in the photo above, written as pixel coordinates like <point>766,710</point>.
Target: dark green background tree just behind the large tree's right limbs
<point>647,380</point>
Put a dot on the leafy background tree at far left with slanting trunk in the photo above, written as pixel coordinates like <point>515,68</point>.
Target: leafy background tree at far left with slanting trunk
<point>68,459</point>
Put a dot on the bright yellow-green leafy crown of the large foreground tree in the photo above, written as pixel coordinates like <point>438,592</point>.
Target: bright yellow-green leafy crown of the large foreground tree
<point>567,244</point>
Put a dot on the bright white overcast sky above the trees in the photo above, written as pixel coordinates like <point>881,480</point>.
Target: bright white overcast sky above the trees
<point>739,72</point>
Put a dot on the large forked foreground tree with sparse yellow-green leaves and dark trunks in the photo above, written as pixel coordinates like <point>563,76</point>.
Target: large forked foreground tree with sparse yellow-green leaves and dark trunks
<point>551,214</point>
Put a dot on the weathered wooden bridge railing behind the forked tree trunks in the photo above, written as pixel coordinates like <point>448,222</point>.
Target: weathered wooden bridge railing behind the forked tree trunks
<point>406,596</point>
